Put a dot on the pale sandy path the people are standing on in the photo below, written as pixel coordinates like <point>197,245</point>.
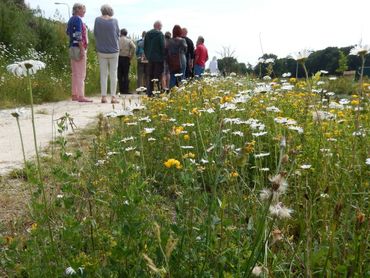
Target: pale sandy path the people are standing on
<point>82,113</point>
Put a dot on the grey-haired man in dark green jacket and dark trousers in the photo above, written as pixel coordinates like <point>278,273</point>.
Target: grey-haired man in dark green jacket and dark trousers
<point>154,52</point>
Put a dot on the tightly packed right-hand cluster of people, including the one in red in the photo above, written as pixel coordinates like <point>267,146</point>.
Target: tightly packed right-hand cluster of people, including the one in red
<point>166,59</point>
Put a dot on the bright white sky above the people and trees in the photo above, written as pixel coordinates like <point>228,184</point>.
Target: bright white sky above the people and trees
<point>248,28</point>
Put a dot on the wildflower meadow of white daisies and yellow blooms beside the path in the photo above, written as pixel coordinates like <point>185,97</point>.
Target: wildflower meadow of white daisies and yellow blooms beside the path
<point>224,176</point>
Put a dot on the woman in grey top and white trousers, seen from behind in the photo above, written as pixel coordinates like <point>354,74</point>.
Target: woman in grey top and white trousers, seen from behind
<point>106,33</point>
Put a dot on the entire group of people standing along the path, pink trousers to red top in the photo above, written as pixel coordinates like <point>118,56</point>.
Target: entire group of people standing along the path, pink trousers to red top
<point>162,60</point>
